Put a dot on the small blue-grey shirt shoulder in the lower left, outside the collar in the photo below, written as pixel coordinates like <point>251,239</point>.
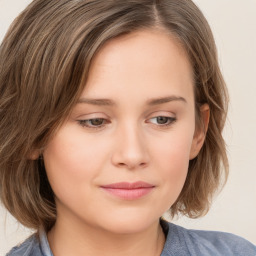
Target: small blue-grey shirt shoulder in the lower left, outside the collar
<point>30,247</point>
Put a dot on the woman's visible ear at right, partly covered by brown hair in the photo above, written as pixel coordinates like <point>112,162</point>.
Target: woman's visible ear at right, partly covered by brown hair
<point>200,131</point>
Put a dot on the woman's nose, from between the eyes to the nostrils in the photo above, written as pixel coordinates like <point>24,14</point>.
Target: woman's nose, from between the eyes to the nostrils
<point>130,151</point>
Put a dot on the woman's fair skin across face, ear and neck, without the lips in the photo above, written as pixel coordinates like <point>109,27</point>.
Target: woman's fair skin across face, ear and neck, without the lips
<point>127,143</point>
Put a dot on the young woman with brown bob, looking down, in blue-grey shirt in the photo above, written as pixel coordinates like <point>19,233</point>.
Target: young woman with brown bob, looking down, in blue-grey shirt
<point>119,108</point>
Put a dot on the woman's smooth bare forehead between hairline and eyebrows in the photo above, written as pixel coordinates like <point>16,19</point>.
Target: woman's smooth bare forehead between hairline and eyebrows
<point>148,59</point>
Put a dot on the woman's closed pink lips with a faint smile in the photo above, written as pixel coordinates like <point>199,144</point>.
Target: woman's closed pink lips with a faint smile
<point>129,191</point>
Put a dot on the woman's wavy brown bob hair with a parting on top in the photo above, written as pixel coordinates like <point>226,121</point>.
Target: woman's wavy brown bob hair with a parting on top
<point>44,62</point>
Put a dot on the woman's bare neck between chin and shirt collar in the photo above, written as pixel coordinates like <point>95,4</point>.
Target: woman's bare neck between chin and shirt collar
<point>69,239</point>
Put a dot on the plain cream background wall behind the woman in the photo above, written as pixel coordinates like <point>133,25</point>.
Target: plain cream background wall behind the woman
<point>234,210</point>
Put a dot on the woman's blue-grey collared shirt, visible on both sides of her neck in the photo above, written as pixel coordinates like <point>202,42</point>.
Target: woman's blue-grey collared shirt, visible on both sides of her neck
<point>179,242</point>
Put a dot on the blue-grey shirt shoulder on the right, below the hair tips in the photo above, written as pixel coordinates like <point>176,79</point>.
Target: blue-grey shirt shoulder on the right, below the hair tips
<point>199,242</point>
